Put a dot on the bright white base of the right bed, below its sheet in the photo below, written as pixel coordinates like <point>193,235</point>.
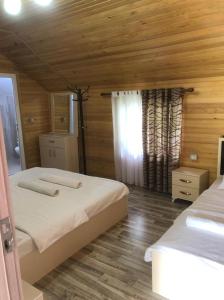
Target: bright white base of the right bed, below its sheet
<point>178,275</point>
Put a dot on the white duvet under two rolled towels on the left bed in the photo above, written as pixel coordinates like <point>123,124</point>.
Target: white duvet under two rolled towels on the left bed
<point>46,219</point>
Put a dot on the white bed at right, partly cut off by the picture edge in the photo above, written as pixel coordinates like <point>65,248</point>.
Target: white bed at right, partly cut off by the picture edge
<point>188,263</point>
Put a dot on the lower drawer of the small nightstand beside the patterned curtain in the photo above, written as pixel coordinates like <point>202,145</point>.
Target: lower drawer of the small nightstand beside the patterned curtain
<point>181,192</point>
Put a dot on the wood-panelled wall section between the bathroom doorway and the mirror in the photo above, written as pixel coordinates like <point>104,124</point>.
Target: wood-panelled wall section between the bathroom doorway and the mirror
<point>34,103</point>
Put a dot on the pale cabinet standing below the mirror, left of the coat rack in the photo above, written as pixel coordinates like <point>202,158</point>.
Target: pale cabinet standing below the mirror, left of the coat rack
<point>59,151</point>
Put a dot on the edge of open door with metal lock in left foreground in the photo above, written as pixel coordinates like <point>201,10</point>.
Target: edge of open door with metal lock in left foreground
<point>9,261</point>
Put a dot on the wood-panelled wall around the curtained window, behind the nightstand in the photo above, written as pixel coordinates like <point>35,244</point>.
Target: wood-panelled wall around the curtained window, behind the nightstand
<point>203,124</point>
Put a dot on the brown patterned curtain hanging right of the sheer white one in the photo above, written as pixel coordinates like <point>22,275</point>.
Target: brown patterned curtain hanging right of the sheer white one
<point>162,120</point>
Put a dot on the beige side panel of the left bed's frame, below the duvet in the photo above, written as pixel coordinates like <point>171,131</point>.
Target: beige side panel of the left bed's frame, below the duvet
<point>34,265</point>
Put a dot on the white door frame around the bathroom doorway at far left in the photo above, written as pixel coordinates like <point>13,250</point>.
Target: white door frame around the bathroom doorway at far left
<point>18,116</point>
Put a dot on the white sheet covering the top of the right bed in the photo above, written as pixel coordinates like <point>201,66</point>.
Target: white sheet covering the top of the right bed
<point>206,246</point>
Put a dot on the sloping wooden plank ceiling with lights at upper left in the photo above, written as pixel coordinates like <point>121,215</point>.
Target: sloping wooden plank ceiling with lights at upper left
<point>93,42</point>
